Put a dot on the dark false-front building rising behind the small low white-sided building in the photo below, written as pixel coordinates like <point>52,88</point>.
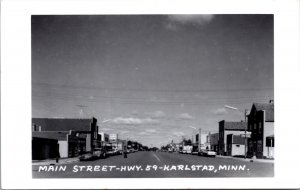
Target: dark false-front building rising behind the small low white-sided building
<point>226,128</point>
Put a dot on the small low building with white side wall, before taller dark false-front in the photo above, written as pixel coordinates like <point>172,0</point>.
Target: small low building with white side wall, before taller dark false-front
<point>235,145</point>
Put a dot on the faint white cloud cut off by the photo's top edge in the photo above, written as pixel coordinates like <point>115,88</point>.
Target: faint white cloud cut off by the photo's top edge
<point>199,19</point>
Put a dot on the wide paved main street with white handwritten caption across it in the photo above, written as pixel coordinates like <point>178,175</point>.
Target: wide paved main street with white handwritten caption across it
<point>156,165</point>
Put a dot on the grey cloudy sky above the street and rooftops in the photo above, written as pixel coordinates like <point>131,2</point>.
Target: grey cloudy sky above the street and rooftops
<point>154,78</point>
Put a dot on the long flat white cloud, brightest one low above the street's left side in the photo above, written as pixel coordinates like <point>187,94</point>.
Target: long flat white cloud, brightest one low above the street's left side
<point>134,121</point>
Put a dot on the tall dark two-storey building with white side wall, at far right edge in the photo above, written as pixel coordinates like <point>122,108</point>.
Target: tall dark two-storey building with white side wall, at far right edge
<point>261,125</point>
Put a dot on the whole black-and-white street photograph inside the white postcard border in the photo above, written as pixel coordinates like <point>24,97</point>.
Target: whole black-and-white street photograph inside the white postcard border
<point>152,96</point>
